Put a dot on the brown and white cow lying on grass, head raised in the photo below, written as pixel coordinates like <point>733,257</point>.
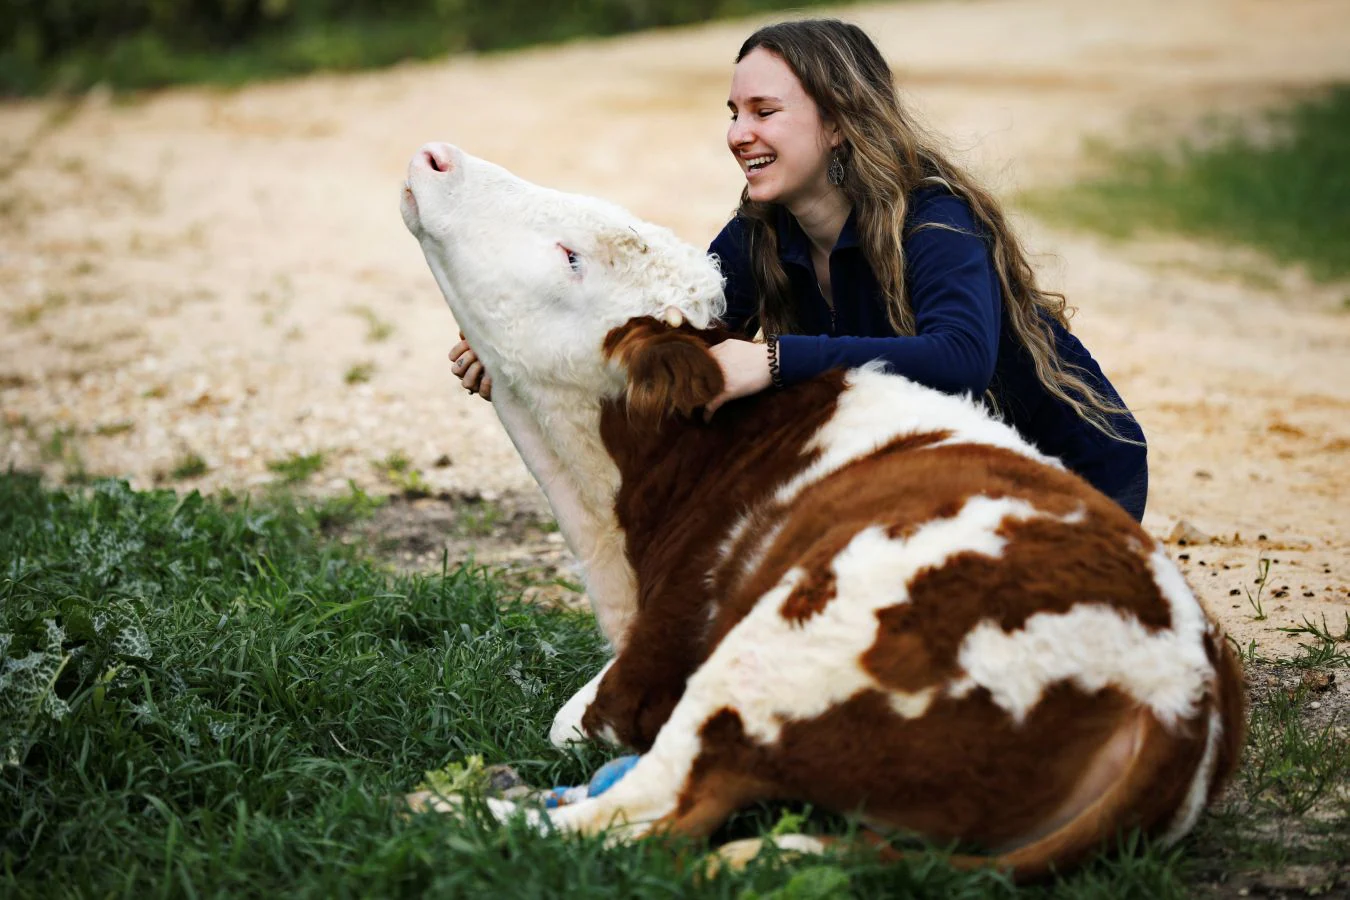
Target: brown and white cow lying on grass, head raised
<point>857,592</point>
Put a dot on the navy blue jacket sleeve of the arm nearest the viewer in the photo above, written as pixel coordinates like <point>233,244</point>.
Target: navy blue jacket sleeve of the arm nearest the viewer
<point>958,311</point>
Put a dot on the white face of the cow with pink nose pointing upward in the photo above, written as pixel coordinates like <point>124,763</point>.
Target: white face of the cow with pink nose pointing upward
<point>537,277</point>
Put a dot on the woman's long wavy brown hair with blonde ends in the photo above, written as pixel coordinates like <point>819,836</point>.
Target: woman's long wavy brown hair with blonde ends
<point>888,156</point>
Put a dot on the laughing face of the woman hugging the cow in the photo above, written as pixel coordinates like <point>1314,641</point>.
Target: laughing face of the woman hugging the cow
<point>777,133</point>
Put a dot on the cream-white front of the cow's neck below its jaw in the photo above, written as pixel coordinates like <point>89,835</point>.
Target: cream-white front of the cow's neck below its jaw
<point>557,434</point>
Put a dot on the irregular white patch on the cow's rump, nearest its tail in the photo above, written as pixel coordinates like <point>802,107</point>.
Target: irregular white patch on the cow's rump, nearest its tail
<point>1094,646</point>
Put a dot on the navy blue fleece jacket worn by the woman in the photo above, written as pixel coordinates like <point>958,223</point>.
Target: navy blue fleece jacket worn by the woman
<point>965,342</point>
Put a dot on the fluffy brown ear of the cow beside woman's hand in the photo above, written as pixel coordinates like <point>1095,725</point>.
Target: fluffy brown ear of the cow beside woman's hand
<point>669,368</point>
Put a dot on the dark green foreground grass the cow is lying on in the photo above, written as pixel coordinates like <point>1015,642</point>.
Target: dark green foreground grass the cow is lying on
<point>210,698</point>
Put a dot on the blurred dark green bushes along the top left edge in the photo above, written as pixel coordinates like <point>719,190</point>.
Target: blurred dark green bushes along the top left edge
<point>70,45</point>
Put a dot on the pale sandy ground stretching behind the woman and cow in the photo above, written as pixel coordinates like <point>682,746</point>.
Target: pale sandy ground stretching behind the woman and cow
<point>202,272</point>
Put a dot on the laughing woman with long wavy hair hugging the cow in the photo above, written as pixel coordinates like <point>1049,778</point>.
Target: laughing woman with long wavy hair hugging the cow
<point>857,240</point>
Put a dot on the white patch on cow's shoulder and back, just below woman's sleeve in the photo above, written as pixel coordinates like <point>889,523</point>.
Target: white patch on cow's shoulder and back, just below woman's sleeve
<point>877,408</point>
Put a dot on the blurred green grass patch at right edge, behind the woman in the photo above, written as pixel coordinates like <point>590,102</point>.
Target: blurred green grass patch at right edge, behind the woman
<point>1283,188</point>
